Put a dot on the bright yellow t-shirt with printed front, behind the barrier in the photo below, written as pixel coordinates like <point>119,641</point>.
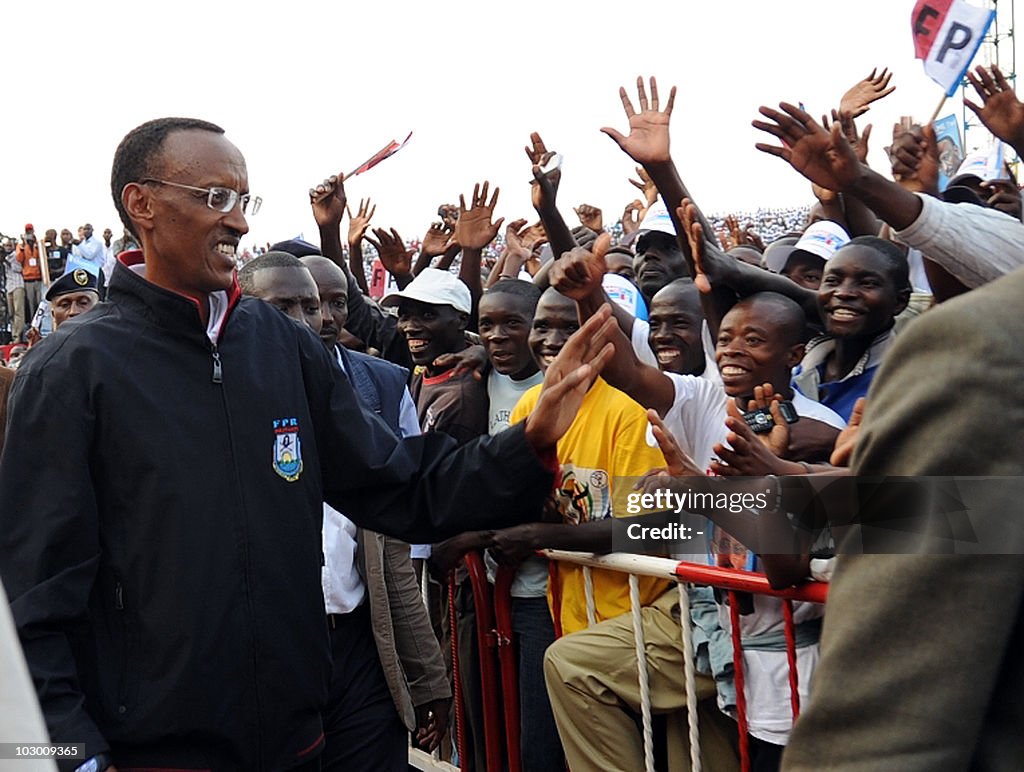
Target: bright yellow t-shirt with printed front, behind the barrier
<point>608,441</point>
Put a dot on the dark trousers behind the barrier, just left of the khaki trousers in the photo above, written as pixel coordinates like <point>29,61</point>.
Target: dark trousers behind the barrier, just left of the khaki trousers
<point>534,630</point>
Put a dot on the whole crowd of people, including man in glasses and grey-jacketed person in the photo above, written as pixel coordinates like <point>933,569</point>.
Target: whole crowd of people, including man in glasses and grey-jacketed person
<point>184,604</point>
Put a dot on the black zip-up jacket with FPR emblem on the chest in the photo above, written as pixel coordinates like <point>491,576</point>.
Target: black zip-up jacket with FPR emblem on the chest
<point>160,524</point>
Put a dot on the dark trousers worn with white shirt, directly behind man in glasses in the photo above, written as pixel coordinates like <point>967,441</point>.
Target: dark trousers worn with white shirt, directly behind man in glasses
<point>362,727</point>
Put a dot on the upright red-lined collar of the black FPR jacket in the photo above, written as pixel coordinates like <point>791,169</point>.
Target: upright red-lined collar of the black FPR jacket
<point>164,308</point>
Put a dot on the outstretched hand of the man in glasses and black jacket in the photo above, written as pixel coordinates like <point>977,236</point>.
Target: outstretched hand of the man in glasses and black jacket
<point>569,378</point>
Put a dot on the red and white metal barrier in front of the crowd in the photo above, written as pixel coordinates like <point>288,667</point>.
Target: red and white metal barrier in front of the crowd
<point>495,640</point>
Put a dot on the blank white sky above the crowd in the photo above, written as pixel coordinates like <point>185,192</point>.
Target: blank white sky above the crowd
<point>307,90</point>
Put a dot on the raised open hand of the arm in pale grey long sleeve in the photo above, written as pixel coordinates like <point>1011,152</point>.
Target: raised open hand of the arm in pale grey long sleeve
<point>826,158</point>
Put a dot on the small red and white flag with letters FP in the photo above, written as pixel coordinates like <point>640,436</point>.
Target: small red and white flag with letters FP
<point>948,35</point>
